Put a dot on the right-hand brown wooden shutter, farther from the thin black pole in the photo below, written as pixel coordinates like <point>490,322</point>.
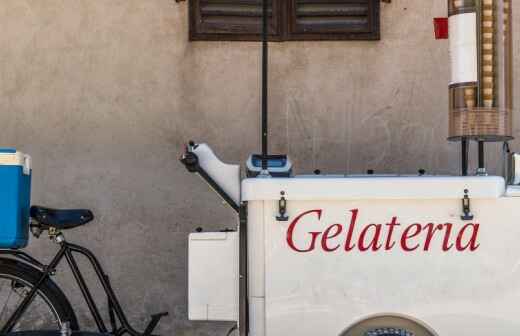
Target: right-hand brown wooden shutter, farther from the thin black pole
<point>333,20</point>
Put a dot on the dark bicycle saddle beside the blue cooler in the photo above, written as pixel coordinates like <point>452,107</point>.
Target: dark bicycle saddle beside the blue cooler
<point>61,219</point>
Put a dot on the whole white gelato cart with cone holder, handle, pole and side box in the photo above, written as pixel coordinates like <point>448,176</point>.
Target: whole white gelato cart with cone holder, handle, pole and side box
<point>352,255</point>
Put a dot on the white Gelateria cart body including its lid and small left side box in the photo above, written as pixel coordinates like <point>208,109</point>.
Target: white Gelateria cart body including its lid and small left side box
<point>355,248</point>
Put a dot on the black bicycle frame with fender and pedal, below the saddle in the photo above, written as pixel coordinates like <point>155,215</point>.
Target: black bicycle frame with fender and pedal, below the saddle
<point>67,251</point>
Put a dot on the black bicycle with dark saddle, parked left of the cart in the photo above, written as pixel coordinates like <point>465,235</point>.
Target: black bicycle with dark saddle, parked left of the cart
<point>40,303</point>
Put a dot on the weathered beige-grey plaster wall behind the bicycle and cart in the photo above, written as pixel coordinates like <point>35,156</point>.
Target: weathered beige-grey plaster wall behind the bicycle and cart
<point>103,94</point>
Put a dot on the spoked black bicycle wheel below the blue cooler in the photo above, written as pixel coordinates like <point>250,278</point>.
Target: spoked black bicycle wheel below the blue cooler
<point>49,308</point>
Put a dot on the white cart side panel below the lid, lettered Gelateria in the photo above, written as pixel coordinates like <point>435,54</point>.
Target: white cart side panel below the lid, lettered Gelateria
<point>451,285</point>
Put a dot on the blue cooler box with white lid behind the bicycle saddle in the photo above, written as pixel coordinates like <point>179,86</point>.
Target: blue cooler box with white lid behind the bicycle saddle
<point>15,198</point>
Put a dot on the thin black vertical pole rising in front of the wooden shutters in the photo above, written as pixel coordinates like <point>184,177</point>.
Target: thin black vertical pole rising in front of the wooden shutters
<point>265,72</point>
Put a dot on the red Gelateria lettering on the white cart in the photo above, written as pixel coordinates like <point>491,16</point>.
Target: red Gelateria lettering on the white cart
<point>376,237</point>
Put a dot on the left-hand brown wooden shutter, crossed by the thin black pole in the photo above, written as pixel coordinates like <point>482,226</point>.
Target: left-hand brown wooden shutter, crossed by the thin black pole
<point>231,19</point>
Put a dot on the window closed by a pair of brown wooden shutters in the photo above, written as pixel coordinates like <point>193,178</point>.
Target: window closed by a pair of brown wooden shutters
<point>240,20</point>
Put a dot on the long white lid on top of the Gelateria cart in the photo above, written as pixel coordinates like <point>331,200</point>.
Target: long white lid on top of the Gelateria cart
<point>383,187</point>
